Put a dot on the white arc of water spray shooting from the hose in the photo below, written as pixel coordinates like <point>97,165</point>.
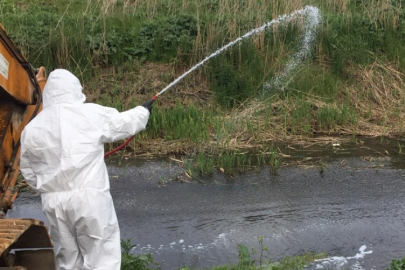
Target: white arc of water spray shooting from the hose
<point>313,19</point>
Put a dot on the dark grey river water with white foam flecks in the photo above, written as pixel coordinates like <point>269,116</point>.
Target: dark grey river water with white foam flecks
<point>351,206</point>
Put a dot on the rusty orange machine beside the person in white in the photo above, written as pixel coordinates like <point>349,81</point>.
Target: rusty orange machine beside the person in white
<point>24,243</point>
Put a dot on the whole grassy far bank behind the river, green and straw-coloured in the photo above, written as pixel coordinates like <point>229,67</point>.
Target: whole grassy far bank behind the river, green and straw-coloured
<point>124,52</point>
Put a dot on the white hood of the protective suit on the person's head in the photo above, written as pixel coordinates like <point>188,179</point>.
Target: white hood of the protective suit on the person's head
<point>62,87</point>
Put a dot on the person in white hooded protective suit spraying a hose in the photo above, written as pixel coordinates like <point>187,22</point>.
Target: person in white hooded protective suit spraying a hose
<point>62,156</point>
